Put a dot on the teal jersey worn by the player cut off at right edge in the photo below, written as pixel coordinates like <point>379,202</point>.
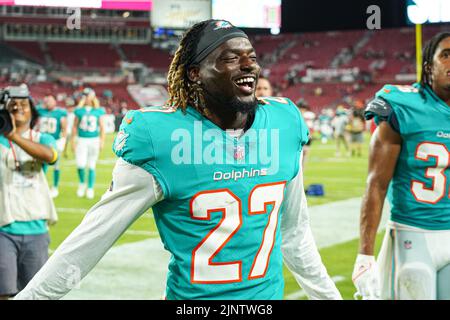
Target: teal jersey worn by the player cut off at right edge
<point>419,192</point>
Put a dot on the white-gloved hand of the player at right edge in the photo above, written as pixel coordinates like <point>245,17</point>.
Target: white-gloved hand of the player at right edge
<point>366,278</point>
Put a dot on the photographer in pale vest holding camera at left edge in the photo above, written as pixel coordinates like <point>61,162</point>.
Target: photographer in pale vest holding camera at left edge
<point>25,202</point>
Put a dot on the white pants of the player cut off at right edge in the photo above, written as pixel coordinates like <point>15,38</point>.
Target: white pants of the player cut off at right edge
<point>414,263</point>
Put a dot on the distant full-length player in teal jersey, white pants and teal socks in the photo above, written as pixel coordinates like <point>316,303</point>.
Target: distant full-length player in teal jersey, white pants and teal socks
<point>88,138</point>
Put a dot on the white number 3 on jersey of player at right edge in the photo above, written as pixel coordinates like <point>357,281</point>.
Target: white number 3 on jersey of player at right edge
<point>439,151</point>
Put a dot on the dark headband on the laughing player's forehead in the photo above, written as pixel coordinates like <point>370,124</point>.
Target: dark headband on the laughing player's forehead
<point>212,36</point>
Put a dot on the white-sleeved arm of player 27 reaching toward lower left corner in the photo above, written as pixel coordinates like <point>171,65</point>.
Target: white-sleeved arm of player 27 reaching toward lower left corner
<point>133,192</point>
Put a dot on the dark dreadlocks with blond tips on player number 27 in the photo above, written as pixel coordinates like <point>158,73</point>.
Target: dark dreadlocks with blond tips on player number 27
<point>183,91</point>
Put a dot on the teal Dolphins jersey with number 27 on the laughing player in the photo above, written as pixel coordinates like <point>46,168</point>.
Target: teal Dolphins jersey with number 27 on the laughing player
<point>223,195</point>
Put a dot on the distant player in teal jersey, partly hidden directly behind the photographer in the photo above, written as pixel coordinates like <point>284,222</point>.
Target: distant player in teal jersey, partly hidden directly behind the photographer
<point>53,120</point>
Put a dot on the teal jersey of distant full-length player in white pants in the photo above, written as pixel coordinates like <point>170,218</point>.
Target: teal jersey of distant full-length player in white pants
<point>89,121</point>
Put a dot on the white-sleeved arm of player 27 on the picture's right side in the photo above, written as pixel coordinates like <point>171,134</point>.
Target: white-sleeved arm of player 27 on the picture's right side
<point>300,253</point>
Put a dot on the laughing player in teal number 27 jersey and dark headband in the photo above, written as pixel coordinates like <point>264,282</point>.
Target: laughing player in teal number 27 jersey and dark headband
<point>222,173</point>
